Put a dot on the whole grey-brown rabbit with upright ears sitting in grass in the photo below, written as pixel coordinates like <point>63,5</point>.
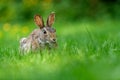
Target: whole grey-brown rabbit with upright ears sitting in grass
<point>44,36</point>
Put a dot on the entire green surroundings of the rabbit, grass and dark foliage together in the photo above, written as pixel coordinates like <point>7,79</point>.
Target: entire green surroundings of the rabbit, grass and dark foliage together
<point>88,36</point>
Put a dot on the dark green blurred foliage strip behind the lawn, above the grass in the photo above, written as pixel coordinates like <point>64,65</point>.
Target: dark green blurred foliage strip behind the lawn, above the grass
<point>70,10</point>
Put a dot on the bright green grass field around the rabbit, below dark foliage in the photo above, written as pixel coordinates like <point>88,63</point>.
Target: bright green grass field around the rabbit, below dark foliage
<point>86,51</point>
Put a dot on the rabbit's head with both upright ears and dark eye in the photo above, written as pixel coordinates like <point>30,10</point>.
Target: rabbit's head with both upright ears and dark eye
<point>46,31</point>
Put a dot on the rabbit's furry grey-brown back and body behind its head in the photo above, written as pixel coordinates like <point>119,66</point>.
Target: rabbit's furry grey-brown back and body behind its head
<point>32,42</point>
